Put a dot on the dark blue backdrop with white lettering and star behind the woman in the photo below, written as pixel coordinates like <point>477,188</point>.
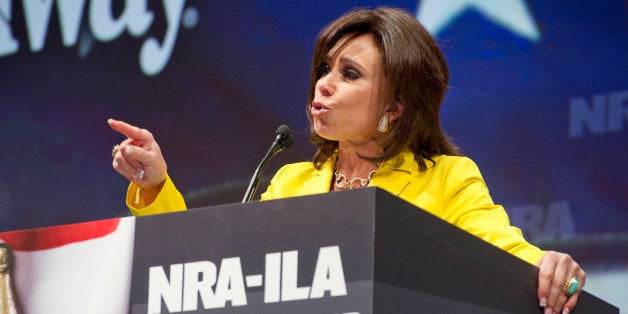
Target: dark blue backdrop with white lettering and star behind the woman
<point>538,98</point>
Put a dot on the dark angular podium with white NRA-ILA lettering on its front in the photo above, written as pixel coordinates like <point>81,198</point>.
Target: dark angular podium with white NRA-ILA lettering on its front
<point>359,251</point>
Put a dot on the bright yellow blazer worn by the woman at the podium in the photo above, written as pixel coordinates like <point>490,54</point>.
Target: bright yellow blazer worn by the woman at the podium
<point>452,188</point>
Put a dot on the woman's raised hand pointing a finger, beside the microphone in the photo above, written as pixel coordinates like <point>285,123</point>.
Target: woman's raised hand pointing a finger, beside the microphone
<point>139,159</point>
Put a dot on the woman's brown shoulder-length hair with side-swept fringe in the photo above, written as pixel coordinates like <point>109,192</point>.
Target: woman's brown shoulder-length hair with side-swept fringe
<point>415,74</point>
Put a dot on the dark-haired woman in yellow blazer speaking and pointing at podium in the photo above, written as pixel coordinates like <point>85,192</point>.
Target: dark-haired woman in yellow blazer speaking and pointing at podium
<point>378,79</point>
